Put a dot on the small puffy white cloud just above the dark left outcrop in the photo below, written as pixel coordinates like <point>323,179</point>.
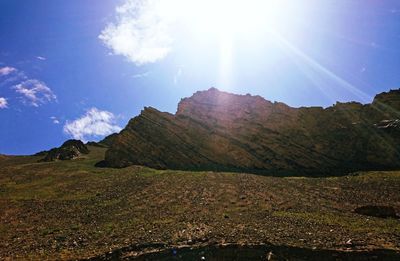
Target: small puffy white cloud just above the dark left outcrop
<point>93,123</point>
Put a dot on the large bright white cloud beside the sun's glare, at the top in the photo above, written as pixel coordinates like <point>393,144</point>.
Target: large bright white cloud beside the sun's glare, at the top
<point>141,31</point>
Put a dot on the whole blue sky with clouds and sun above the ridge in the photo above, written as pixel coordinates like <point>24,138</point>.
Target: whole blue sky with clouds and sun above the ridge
<point>83,68</point>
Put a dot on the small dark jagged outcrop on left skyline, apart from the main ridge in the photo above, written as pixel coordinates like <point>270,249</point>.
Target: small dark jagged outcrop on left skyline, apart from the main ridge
<point>70,149</point>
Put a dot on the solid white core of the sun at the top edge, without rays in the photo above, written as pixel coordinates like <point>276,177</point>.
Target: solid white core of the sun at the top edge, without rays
<point>240,17</point>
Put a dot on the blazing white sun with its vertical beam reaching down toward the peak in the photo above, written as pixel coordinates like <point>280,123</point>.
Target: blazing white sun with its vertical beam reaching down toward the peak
<point>228,21</point>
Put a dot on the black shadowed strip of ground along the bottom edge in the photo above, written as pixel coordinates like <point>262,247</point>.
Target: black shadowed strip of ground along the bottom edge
<point>244,252</point>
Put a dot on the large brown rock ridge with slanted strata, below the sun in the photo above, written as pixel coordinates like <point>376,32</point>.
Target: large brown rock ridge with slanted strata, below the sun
<point>214,130</point>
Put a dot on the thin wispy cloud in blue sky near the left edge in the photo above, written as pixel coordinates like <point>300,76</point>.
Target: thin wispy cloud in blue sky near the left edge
<point>35,92</point>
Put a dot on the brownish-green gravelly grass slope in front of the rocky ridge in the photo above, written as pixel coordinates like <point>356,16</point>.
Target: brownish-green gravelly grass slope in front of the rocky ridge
<point>71,209</point>
